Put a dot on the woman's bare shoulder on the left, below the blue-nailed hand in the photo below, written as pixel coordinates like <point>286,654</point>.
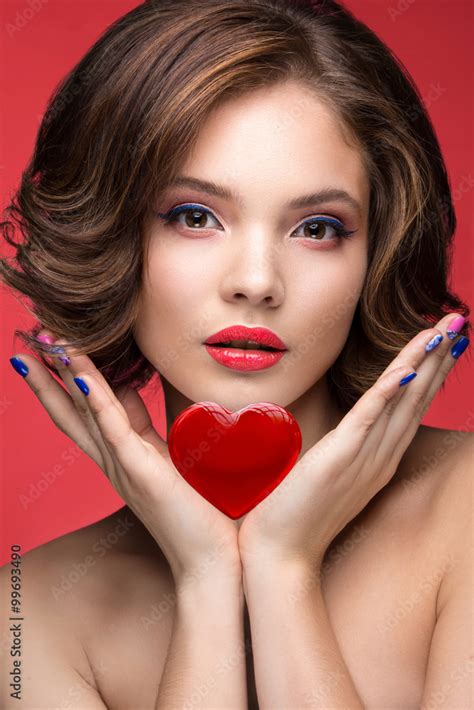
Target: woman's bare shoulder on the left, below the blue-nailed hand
<point>68,587</point>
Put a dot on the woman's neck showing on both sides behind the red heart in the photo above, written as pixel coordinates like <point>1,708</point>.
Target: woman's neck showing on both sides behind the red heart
<point>315,411</point>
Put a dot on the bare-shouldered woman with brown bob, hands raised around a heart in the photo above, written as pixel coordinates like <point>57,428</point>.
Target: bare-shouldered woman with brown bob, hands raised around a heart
<point>251,163</point>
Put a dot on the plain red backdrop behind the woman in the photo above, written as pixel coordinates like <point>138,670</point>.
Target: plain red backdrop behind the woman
<point>49,486</point>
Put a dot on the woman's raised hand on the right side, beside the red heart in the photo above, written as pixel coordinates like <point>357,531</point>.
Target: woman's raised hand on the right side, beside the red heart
<point>336,478</point>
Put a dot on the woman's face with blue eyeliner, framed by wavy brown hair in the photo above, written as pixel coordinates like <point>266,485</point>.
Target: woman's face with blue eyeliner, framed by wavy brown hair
<point>249,259</point>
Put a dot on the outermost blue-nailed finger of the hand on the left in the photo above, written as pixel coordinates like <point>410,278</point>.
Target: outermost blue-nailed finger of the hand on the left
<point>59,406</point>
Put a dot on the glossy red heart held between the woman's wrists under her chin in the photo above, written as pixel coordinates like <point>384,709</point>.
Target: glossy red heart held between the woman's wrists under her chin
<point>234,459</point>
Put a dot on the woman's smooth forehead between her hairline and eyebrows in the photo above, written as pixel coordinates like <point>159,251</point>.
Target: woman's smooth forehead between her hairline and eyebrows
<point>284,138</point>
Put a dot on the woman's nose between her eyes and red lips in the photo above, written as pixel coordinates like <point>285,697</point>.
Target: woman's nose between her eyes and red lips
<point>253,272</point>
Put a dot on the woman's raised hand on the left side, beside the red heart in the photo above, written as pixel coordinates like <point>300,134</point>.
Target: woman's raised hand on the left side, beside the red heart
<point>117,433</point>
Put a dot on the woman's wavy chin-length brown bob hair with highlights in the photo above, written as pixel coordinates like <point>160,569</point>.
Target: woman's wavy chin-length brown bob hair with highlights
<point>120,124</point>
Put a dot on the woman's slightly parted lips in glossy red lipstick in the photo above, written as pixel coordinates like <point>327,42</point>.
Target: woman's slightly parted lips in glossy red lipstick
<point>245,349</point>
